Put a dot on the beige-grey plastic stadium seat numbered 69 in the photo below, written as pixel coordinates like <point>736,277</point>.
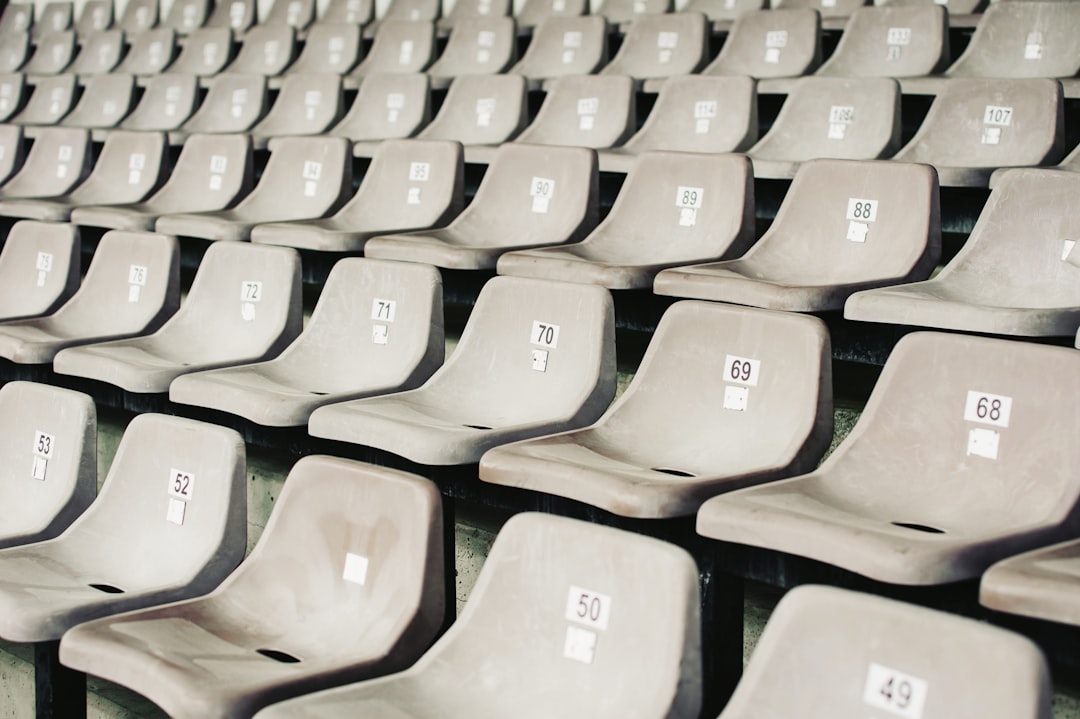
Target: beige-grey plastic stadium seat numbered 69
<point>686,429</point>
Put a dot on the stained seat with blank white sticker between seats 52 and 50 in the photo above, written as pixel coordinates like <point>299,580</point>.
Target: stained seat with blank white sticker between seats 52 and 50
<point>376,616</point>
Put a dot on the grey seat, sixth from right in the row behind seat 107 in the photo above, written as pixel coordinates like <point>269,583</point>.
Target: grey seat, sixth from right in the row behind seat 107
<point>478,47</point>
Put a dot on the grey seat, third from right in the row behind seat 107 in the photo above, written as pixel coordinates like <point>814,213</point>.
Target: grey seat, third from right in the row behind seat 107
<point>772,44</point>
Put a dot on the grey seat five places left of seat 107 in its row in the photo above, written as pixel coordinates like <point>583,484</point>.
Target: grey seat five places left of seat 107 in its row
<point>387,106</point>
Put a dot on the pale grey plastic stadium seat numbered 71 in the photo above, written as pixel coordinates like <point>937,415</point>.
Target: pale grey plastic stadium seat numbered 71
<point>377,329</point>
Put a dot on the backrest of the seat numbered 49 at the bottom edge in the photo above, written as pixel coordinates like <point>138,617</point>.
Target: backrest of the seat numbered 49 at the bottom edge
<point>874,656</point>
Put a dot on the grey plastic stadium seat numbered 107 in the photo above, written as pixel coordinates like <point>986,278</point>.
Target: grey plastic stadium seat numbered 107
<point>991,124</point>
